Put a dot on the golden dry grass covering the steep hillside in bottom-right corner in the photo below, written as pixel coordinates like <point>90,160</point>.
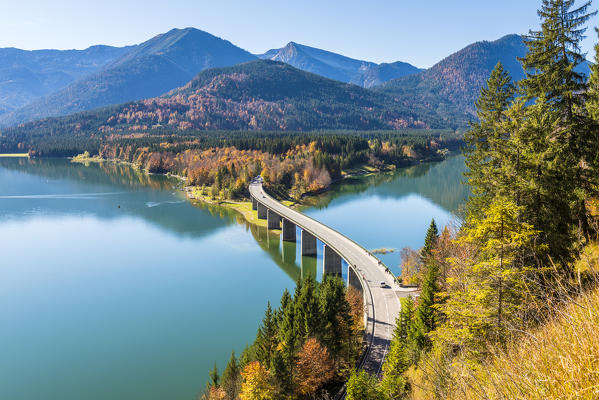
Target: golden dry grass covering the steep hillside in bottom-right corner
<point>557,360</point>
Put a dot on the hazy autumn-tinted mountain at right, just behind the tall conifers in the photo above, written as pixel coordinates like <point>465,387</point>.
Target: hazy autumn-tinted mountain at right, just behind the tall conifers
<point>451,87</point>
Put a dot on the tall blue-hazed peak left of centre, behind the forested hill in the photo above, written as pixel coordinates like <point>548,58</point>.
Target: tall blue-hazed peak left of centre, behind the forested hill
<point>150,69</point>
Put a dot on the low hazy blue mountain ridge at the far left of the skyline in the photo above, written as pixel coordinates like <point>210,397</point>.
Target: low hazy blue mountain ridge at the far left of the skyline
<point>28,75</point>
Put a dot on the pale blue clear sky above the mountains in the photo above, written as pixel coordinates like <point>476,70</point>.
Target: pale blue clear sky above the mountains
<point>417,31</point>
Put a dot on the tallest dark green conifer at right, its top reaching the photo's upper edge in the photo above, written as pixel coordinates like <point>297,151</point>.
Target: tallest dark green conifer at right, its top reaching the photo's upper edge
<point>551,77</point>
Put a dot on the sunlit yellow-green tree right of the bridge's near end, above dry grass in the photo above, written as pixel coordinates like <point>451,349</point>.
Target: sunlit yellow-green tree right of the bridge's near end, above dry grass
<point>486,297</point>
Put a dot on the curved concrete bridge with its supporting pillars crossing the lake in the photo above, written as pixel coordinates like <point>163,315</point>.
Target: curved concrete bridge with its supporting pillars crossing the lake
<point>365,271</point>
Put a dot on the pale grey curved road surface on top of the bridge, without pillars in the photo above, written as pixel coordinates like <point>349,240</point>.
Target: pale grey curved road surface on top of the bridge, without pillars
<point>382,304</point>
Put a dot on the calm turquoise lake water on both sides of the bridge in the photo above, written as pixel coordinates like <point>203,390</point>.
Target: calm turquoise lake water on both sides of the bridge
<point>113,286</point>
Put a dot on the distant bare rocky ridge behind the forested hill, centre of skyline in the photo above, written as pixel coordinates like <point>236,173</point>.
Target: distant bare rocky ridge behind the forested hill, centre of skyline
<point>338,67</point>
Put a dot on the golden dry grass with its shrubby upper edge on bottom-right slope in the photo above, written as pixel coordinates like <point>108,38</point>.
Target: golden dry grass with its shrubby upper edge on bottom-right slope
<point>559,359</point>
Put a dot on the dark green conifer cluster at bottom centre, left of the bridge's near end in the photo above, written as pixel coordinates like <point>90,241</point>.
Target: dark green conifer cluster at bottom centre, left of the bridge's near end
<point>316,312</point>
